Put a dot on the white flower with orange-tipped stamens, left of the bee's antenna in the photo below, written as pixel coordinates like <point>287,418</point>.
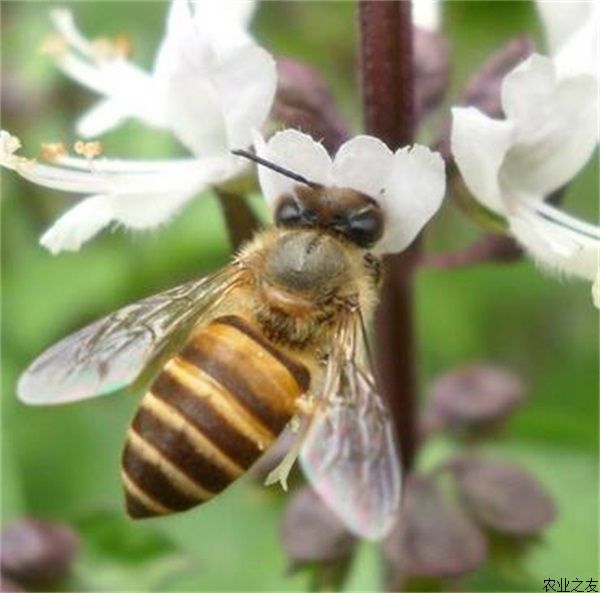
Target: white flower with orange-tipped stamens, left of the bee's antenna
<point>211,86</point>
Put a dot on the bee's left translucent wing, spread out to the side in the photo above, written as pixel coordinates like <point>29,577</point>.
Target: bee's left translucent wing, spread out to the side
<point>113,352</point>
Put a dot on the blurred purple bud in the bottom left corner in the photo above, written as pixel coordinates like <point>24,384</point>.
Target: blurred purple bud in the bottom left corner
<point>37,551</point>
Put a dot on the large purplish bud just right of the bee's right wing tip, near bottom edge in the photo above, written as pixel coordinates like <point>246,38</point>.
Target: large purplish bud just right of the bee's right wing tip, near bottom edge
<point>434,538</point>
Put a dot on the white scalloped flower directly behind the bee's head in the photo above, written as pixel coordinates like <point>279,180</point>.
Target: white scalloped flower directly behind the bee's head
<point>409,184</point>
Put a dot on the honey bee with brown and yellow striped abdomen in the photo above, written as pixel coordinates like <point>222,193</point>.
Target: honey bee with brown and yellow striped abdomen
<point>276,338</point>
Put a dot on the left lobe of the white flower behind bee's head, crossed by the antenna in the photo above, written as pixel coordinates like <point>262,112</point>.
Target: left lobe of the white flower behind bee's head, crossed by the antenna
<point>296,152</point>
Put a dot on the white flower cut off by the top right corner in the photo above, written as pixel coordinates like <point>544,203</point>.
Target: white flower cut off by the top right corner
<point>573,32</point>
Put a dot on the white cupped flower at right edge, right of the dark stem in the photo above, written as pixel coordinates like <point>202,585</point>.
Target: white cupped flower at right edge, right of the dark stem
<point>512,165</point>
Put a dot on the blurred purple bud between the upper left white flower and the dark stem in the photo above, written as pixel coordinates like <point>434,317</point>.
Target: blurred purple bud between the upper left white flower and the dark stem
<point>303,101</point>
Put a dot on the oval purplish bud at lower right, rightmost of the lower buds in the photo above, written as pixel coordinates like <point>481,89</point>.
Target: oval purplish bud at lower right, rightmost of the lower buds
<point>503,496</point>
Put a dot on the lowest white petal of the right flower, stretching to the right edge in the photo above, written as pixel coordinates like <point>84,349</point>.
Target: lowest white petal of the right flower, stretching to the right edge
<point>558,247</point>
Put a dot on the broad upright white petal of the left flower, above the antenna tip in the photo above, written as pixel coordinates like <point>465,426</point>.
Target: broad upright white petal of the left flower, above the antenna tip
<point>213,97</point>
